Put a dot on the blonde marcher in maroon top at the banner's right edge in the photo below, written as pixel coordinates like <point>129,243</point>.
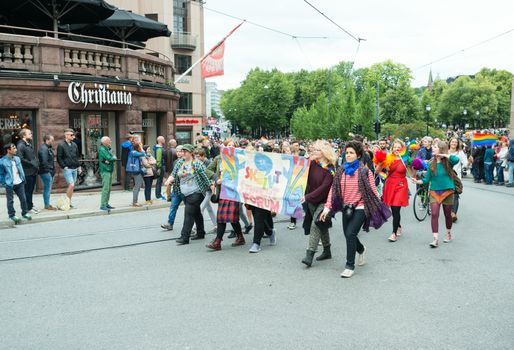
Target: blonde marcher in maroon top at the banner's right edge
<point>319,182</point>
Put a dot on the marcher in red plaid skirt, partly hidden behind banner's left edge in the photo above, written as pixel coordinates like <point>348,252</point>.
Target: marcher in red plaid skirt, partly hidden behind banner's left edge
<point>228,211</point>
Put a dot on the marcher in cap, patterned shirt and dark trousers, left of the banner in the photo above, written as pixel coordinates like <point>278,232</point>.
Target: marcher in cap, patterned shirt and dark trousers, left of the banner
<point>191,182</point>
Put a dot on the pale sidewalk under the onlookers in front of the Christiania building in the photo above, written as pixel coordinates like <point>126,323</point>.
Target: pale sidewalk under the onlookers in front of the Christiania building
<point>88,204</point>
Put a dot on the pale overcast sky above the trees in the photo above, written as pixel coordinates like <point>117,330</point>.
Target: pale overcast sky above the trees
<point>414,33</point>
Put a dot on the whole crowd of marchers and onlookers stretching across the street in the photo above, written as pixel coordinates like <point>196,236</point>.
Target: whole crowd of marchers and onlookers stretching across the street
<point>365,180</point>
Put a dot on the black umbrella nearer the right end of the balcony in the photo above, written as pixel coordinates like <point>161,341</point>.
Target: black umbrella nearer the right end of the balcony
<point>124,26</point>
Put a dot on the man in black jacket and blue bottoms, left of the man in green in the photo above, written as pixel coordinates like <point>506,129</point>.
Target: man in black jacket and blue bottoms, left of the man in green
<point>68,158</point>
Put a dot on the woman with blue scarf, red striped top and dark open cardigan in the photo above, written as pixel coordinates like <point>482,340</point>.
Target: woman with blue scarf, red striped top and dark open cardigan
<point>354,193</point>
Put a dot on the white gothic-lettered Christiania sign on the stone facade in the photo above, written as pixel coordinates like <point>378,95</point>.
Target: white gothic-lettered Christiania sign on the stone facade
<point>100,94</point>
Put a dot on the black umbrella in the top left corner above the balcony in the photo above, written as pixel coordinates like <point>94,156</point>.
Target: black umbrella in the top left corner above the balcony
<point>59,11</point>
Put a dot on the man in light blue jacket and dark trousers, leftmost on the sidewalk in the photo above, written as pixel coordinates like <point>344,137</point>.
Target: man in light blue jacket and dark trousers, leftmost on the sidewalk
<point>12,178</point>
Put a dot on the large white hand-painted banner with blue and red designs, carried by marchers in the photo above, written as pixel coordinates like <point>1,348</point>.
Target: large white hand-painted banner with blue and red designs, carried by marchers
<point>271,181</point>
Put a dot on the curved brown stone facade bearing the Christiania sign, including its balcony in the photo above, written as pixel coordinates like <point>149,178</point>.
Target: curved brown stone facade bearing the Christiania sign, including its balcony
<point>48,85</point>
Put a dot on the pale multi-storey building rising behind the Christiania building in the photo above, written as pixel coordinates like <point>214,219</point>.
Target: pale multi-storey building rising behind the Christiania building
<point>185,46</point>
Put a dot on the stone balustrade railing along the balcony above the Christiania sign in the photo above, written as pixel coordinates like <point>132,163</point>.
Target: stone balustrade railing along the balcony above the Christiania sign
<point>57,56</point>
